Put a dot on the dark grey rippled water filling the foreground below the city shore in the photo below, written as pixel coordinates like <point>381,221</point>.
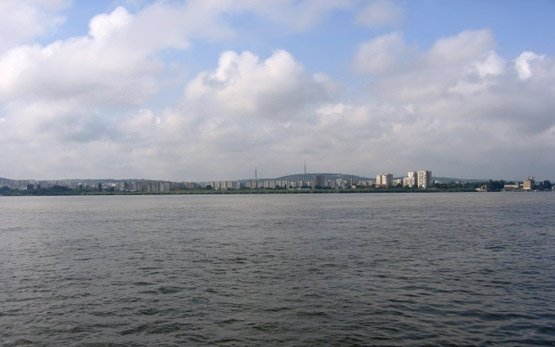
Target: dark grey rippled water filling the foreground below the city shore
<point>347,269</point>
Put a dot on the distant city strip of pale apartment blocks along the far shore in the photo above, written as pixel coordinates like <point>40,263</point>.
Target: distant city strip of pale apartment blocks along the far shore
<point>421,180</point>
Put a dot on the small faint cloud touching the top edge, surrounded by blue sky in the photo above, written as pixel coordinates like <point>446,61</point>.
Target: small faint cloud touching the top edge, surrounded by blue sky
<point>380,13</point>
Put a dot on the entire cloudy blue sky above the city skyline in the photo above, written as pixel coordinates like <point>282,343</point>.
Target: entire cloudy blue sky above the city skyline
<point>214,89</point>
